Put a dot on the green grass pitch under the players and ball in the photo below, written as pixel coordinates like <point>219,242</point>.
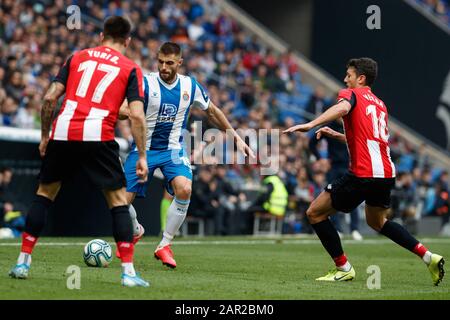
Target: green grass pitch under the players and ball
<point>227,268</point>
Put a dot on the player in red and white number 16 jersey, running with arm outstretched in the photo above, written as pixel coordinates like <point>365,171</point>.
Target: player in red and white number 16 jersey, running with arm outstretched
<point>371,172</point>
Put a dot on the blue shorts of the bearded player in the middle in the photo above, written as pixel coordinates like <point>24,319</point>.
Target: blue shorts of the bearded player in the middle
<point>173,163</point>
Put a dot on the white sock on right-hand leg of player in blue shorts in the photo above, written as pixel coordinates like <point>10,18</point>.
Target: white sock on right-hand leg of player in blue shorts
<point>175,218</point>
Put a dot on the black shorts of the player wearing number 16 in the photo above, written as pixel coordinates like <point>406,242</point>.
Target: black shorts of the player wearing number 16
<point>349,191</point>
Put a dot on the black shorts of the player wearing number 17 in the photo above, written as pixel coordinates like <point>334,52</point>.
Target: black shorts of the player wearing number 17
<point>100,160</point>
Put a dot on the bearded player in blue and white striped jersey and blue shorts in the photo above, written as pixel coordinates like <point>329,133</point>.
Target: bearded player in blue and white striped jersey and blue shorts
<point>168,99</point>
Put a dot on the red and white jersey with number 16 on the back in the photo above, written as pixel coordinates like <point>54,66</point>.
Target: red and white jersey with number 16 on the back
<point>366,131</point>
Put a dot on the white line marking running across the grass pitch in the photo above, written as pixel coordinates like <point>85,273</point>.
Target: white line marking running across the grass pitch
<point>238,242</point>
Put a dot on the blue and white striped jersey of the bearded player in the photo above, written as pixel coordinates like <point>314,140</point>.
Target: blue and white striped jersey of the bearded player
<point>167,108</point>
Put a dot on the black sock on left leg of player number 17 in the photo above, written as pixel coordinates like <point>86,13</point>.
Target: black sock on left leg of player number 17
<point>37,216</point>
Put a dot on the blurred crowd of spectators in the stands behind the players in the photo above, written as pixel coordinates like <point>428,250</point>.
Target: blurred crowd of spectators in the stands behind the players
<point>254,86</point>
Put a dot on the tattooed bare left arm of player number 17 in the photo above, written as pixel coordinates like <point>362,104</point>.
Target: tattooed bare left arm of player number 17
<point>55,91</point>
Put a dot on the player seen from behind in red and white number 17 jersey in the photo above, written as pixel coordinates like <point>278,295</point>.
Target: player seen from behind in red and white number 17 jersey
<point>95,82</point>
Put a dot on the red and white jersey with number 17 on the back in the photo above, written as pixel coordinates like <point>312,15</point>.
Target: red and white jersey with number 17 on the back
<point>97,81</point>
